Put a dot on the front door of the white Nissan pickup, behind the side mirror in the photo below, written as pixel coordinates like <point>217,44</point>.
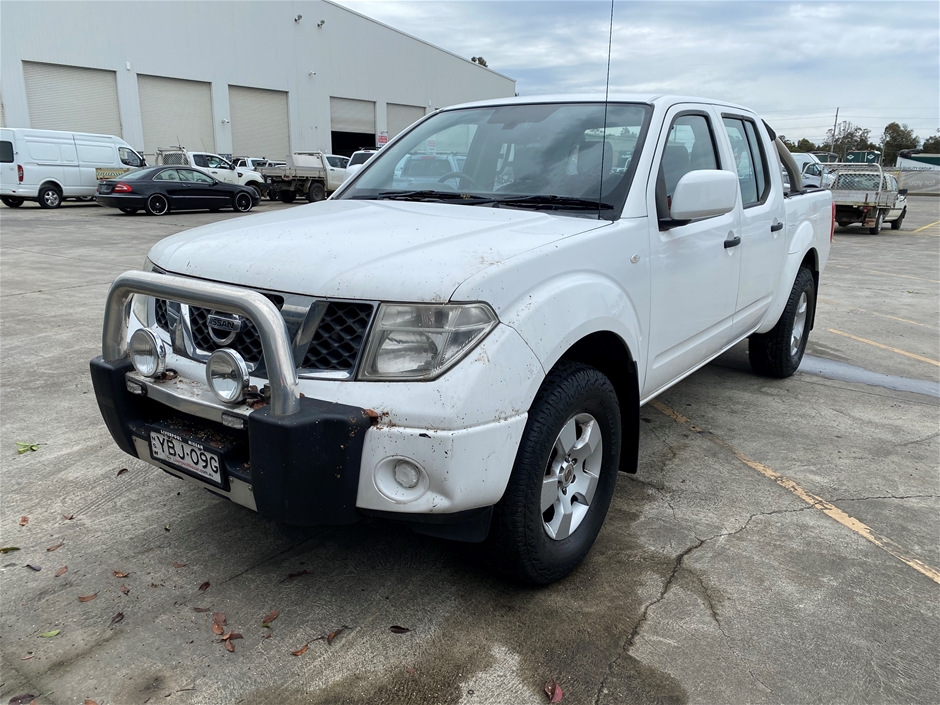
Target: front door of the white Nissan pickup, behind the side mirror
<point>694,272</point>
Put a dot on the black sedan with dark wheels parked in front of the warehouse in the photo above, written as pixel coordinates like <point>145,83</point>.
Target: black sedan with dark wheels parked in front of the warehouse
<point>160,189</point>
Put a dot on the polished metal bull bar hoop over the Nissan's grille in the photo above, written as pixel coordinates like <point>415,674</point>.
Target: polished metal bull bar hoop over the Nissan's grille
<point>275,341</point>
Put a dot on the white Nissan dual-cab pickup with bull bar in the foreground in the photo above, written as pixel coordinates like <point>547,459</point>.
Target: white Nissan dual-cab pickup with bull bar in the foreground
<point>469,357</point>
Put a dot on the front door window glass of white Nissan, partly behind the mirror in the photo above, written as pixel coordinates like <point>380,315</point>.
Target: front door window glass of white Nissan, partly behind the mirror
<point>690,147</point>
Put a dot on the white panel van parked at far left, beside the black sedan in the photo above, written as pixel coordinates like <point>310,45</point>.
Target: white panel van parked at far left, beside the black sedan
<point>48,166</point>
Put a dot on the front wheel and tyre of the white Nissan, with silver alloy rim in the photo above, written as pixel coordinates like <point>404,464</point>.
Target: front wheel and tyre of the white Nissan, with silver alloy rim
<point>562,480</point>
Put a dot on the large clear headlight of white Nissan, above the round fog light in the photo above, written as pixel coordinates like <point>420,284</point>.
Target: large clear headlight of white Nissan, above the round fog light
<point>411,341</point>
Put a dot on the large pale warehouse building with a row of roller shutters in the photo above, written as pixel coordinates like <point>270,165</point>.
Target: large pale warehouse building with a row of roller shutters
<point>235,78</point>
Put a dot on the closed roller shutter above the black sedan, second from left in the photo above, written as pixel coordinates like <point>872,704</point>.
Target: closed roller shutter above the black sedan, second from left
<point>175,112</point>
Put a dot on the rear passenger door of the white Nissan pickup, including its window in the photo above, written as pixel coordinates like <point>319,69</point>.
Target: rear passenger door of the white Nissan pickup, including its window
<point>763,220</point>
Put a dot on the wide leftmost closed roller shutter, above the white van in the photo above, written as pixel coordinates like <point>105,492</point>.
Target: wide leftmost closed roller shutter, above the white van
<point>72,98</point>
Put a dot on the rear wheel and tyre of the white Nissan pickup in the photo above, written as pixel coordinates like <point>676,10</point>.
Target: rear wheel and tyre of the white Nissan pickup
<point>778,352</point>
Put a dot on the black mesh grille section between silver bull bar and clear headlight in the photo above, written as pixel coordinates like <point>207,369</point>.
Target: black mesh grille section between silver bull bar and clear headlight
<point>338,339</point>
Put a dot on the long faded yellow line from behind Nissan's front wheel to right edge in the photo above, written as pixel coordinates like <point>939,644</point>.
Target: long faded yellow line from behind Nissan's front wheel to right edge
<point>827,508</point>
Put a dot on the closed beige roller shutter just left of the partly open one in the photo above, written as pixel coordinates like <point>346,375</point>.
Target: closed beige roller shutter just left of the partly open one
<point>259,122</point>
